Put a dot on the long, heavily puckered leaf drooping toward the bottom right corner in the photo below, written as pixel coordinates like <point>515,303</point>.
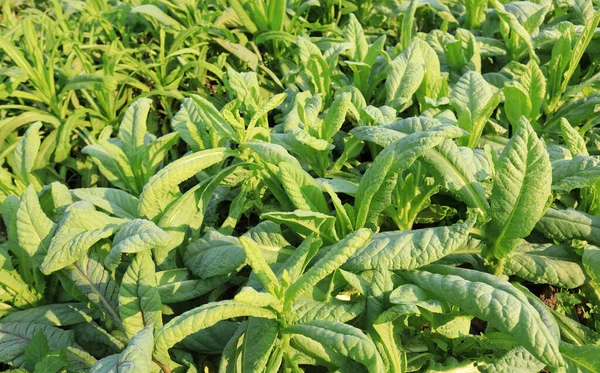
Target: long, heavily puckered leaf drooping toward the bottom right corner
<point>492,303</point>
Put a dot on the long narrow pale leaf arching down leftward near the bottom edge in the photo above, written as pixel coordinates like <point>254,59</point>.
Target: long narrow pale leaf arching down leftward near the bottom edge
<point>200,318</point>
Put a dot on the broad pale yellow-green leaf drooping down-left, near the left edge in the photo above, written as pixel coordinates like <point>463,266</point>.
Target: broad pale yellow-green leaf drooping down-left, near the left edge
<point>80,228</point>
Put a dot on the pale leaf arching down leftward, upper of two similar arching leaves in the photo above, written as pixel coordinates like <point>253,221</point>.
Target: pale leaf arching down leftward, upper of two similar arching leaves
<point>155,197</point>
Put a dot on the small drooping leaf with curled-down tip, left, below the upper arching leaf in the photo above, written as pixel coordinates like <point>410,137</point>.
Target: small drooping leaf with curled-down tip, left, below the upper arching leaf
<point>136,236</point>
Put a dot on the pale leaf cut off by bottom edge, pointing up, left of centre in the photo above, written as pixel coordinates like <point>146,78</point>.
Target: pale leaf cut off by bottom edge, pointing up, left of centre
<point>136,357</point>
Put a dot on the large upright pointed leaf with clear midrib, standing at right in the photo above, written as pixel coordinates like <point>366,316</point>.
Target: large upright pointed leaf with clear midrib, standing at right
<point>521,190</point>
